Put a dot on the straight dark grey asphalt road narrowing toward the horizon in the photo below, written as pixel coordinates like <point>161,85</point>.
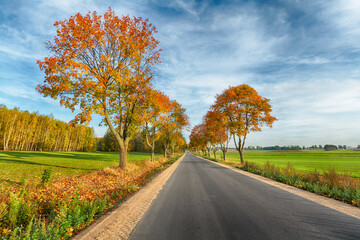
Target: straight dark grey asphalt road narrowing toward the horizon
<point>202,200</point>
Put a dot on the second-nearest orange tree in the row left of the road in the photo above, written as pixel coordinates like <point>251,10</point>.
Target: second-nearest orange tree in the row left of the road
<point>155,117</point>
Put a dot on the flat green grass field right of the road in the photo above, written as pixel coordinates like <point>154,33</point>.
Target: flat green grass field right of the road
<point>344,161</point>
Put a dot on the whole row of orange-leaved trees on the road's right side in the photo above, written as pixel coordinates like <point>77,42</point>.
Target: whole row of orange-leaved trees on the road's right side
<point>236,112</point>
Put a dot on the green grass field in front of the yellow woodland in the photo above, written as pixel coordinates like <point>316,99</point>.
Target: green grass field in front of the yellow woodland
<point>14,165</point>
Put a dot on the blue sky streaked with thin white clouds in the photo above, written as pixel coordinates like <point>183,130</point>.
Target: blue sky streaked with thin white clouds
<point>303,55</point>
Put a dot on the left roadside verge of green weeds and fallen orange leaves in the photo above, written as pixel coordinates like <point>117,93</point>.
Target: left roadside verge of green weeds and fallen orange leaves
<point>62,207</point>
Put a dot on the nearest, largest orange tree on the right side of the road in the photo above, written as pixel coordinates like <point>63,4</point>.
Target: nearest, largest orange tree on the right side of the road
<point>246,111</point>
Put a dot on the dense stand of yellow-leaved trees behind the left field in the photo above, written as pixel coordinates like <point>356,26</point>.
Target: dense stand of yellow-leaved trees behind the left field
<point>24,131</point>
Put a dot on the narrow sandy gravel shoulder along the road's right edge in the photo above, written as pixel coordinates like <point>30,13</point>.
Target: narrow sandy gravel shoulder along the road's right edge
<point>327,202</point>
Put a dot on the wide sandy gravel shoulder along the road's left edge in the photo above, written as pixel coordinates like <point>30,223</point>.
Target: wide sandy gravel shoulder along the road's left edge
<point>119,223</point>
